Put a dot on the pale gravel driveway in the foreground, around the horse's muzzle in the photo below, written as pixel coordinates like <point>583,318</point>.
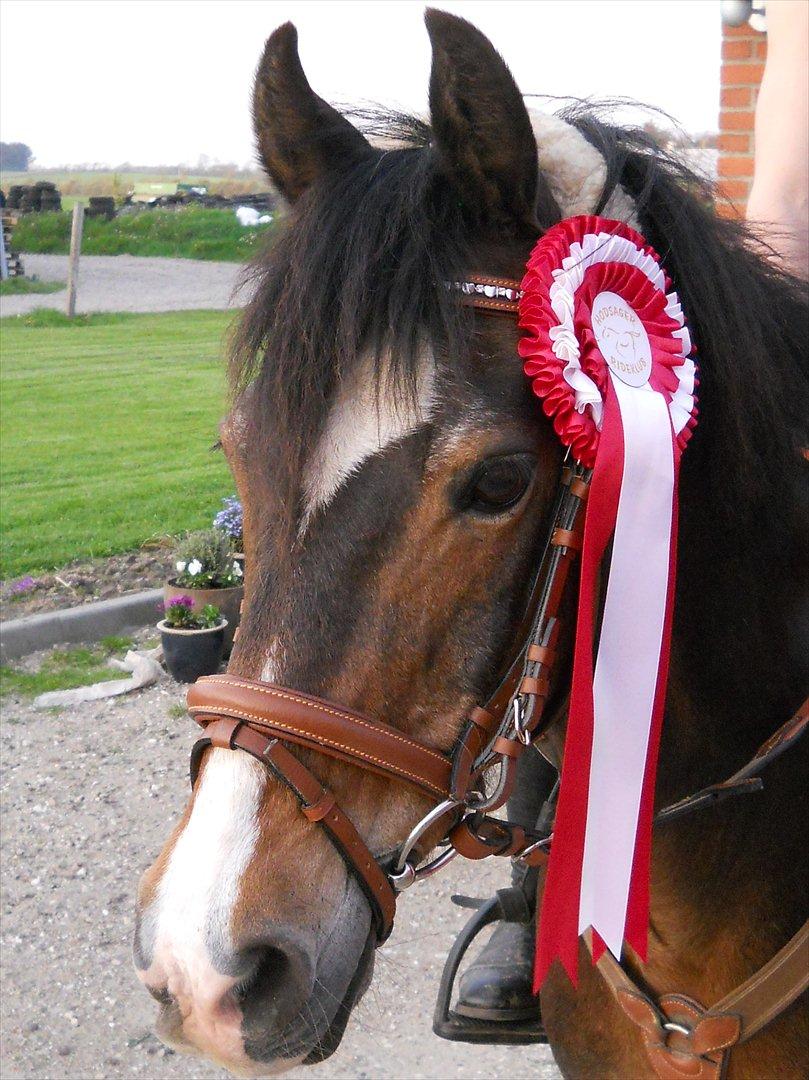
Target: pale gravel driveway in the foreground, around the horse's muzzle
<point>88,798</point>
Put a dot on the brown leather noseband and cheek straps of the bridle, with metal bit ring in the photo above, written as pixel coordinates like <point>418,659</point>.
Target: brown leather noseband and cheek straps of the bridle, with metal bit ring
<point>261,719</point>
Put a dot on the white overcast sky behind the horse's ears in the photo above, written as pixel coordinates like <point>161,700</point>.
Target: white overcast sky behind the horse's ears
<point>166,82</point>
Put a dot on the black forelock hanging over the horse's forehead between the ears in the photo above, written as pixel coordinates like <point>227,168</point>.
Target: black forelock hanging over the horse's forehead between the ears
<point>354,276</point>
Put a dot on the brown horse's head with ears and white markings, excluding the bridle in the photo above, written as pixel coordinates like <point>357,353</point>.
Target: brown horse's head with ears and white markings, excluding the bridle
<point>396,475</point>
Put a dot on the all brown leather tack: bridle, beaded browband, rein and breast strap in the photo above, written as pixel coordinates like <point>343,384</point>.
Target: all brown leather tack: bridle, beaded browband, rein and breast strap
<point>478,776</point>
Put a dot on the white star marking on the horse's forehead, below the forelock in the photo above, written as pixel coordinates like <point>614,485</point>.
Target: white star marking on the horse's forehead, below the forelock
<point>360,425</point>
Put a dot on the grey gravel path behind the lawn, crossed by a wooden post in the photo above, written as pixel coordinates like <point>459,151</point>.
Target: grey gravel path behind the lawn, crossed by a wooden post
<point>130,283</point>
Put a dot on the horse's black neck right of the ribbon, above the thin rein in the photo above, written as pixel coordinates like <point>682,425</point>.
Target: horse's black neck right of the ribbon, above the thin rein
<point>740,655</point>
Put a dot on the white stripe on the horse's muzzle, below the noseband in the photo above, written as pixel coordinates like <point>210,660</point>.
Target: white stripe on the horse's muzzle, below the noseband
<point>195,902</point>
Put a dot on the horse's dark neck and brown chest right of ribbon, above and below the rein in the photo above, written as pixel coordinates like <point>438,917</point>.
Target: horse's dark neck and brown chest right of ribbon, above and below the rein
<point>738,673</point>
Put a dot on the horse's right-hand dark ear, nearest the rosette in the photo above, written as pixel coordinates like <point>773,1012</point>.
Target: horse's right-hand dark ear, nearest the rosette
<point>482,130</point>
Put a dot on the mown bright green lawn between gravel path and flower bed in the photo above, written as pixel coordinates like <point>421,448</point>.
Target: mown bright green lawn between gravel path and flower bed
<point>109,423</point>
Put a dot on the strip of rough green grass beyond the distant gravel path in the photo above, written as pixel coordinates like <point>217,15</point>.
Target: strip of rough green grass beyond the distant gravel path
<point>192,234</point>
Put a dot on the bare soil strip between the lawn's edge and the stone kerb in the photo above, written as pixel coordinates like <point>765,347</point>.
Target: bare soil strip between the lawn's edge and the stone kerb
<point>97,579</point>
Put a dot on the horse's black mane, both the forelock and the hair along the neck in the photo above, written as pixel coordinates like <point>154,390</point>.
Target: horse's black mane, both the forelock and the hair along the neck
<point>360,275</point>
